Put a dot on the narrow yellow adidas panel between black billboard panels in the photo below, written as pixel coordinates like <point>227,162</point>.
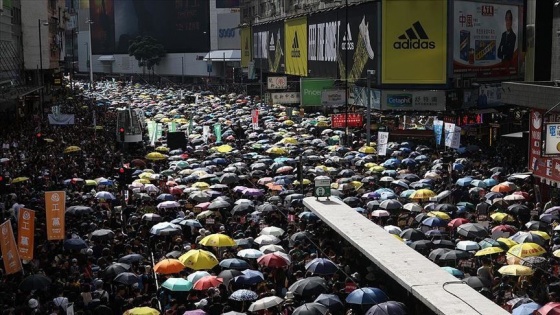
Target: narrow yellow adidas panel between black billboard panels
<point>295,46</point>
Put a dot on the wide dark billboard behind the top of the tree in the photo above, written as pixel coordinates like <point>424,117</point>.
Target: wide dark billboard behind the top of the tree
<point>179,26</point>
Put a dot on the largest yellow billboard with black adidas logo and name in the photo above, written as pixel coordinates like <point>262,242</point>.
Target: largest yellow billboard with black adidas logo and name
<point>414,42</point>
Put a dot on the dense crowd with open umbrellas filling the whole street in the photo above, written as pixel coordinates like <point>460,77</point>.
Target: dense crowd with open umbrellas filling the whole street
<point>219,226</point>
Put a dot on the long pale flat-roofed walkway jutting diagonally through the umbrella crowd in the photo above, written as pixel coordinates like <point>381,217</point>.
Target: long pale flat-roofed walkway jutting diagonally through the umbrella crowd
<point>423,286</point>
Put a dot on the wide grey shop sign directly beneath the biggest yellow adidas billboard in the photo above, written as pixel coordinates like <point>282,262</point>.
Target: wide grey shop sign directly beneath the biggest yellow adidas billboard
<point>413,100</point>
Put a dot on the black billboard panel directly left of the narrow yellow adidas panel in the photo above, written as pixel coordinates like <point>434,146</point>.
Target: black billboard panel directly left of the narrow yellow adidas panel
<point>268,50</point>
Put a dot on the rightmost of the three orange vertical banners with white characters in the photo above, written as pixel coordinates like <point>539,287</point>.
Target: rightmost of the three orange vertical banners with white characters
<point>55,206</point>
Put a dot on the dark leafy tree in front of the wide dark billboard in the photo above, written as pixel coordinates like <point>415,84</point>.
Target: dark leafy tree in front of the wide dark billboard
<point>147,50</point>
